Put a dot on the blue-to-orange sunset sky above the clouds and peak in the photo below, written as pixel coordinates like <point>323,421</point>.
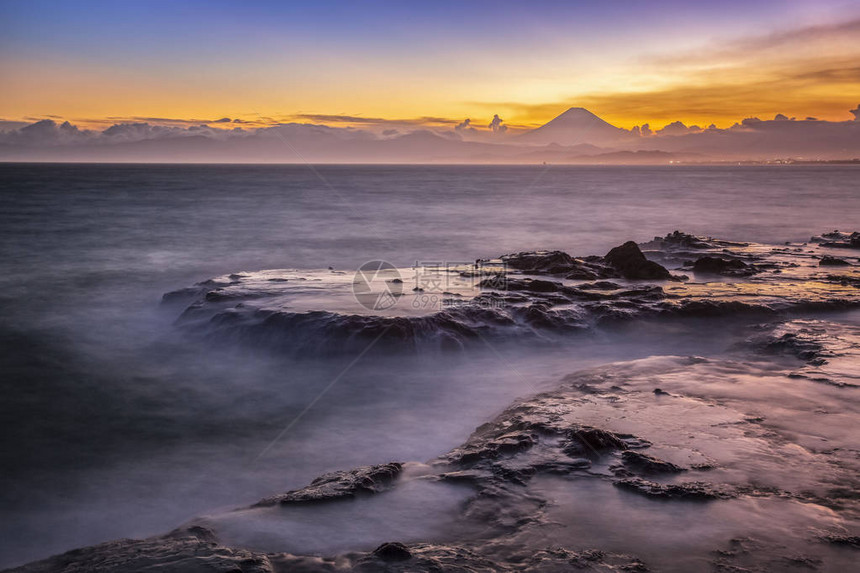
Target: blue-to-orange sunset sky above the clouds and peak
<point>96,63</point>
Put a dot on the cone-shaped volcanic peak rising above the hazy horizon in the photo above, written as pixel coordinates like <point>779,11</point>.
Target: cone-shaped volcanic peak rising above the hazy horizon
<point>576,125</point>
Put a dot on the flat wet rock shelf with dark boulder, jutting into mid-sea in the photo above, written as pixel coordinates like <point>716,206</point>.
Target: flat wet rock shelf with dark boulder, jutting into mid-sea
<point>535,296</point>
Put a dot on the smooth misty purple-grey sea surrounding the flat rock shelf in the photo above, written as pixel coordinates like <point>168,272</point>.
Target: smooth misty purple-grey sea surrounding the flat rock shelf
<point>117,424</point>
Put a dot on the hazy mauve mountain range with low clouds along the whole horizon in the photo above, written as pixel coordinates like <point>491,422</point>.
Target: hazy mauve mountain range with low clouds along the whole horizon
<point>577,136</point>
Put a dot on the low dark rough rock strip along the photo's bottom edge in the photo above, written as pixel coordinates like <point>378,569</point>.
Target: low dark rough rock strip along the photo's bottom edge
<point>188,552</point>
